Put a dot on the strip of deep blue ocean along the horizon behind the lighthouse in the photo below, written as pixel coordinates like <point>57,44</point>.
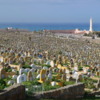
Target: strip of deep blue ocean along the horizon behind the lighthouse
<point>49,26</point>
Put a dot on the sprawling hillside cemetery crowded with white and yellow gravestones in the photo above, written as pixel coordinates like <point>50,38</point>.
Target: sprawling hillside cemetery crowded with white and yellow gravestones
<point>47,63</point>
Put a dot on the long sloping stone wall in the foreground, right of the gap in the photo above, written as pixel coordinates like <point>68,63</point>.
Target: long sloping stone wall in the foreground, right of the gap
<point>67,92</point>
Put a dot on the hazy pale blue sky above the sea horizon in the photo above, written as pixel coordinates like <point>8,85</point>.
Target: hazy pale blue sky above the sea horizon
<point>49,11</point>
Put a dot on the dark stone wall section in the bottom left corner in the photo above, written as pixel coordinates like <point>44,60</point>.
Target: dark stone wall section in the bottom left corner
<point>15,92</point>
